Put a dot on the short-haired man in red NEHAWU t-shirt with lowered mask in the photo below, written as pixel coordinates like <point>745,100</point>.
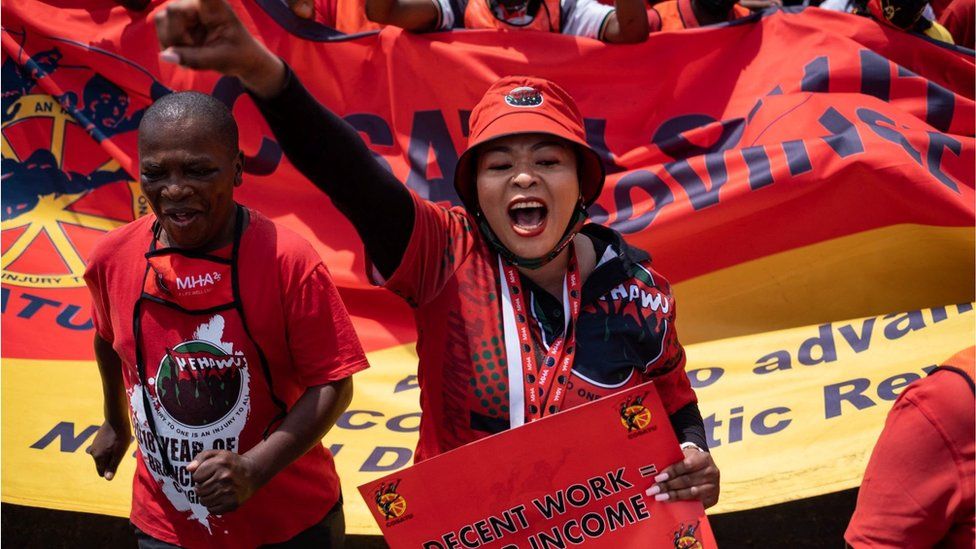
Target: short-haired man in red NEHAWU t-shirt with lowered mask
<point>222,337</point>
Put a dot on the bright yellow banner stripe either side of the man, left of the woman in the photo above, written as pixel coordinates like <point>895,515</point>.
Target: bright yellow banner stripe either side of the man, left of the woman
<point>51,410</point>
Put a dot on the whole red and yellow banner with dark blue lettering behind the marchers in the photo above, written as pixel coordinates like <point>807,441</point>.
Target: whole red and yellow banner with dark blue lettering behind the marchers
<point>805,179</point>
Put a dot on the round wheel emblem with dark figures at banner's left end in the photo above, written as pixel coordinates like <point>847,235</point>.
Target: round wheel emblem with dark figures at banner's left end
<point>61,189</point>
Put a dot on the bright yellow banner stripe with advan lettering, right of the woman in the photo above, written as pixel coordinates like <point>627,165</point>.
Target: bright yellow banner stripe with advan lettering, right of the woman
<point>795,413</point>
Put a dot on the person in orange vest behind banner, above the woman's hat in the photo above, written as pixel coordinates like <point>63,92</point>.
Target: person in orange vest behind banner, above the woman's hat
<point>623,23</point>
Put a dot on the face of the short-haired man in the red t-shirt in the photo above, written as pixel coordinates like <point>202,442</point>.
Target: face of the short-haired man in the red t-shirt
<point>189,176</point>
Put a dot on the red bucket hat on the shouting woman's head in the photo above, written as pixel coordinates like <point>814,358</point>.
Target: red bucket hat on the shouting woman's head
<point>524,104</point>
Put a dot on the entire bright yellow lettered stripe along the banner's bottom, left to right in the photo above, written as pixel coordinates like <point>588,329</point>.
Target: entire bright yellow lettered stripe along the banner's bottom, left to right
<point>802,427</point>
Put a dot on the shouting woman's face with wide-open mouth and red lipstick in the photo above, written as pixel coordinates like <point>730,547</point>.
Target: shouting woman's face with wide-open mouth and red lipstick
<point>528,188</point>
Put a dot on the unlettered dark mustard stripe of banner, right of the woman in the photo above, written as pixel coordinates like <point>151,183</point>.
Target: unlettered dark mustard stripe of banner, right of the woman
<point>895,268</point>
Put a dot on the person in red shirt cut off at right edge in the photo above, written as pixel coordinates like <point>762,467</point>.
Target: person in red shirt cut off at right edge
<point>918,489</point>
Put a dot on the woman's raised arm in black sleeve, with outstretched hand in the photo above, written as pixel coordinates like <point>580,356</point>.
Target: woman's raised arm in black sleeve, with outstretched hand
<point>206,34</point>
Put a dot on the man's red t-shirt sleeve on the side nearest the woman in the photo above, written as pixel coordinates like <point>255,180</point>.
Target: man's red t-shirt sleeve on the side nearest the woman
<point>323,345</point>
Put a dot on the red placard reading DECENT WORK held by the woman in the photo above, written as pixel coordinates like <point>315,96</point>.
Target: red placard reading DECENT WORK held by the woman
<point>577,477</point>
